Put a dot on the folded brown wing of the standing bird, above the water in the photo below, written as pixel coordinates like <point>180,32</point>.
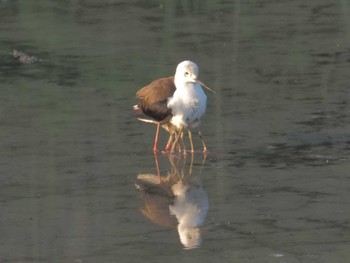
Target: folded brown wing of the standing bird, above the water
<point>154,98</point>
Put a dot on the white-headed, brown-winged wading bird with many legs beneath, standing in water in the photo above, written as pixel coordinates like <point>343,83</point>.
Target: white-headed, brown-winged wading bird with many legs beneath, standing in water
<point>175,103</point>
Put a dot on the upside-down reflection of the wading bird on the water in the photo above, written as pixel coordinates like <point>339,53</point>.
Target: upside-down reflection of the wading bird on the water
<point>175,200</point>
